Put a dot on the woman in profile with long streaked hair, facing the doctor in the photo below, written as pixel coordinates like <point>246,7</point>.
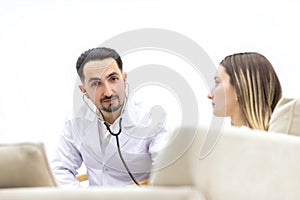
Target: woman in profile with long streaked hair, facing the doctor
<point>247,90</point>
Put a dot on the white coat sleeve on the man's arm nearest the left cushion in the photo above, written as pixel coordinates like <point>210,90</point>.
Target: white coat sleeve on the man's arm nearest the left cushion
<point>67,158</point>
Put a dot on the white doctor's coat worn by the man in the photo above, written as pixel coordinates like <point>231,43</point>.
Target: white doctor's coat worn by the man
<point>140,141</point>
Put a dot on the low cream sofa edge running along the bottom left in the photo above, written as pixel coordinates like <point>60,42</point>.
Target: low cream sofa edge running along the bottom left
<point>111,193</point>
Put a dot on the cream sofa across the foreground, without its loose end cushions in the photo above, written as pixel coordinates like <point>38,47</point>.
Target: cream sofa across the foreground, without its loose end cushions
<point>243,164</point>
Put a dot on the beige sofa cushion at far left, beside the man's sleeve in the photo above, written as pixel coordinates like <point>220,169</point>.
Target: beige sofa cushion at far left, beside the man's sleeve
<point>24,165</point>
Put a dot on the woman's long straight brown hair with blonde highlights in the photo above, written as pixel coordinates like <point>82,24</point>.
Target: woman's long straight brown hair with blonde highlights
<point>257,87</point>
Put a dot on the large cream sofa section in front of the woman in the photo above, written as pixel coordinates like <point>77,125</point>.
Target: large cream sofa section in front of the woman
<point>244,164</point>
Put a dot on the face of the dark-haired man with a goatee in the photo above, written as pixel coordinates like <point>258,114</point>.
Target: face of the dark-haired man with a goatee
<point>104,84</point>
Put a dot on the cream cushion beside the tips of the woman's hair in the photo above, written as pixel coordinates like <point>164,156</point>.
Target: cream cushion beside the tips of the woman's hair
<point>286,117</point>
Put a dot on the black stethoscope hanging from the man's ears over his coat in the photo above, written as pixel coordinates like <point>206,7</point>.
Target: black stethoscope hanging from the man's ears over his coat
<point>116,134</point>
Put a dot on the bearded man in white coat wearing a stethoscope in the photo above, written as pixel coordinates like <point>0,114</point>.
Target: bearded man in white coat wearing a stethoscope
<point>92,137</point>
